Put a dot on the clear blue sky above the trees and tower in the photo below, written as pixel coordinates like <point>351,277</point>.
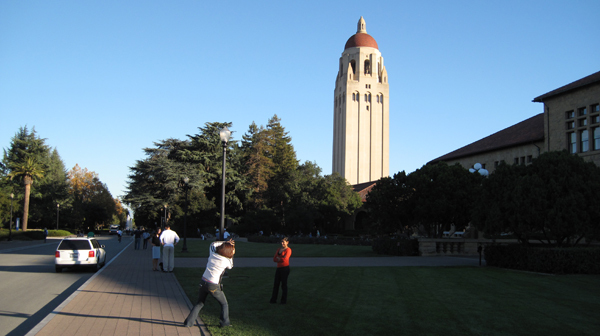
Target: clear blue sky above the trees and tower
<point>100,80</point>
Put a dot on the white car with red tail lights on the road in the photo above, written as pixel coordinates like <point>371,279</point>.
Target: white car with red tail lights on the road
<point>79,252</point>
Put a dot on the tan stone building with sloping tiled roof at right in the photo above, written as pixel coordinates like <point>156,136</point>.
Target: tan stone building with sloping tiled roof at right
<point>570,121</point>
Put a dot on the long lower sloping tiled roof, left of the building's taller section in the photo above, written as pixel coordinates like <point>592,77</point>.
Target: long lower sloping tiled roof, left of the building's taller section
<point>527,131</point>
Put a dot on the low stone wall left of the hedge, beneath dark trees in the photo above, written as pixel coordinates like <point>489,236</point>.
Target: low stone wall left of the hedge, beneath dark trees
<point>450,246</point>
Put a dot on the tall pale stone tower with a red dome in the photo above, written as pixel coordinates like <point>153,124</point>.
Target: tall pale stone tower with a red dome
<point>361,111</point>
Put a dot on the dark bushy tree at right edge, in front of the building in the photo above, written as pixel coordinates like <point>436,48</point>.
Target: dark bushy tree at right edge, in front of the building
<point>554,198</point>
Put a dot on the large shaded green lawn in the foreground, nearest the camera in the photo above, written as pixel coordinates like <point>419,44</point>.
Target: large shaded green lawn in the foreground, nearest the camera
<point>404,301</point>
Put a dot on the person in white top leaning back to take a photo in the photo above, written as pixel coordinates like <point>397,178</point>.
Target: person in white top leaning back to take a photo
<point>220,259</point>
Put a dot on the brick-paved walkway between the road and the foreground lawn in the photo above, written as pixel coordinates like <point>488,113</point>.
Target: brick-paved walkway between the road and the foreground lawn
<point>124,298</point>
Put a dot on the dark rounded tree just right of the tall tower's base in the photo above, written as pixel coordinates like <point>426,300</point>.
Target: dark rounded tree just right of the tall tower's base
<point>431,199</point>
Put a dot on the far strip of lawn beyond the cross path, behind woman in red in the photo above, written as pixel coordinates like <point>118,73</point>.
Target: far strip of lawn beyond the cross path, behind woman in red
<point>199,249</point>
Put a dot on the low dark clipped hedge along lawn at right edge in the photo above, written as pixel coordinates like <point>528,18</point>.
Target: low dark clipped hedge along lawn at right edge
<point>555,260</point>
